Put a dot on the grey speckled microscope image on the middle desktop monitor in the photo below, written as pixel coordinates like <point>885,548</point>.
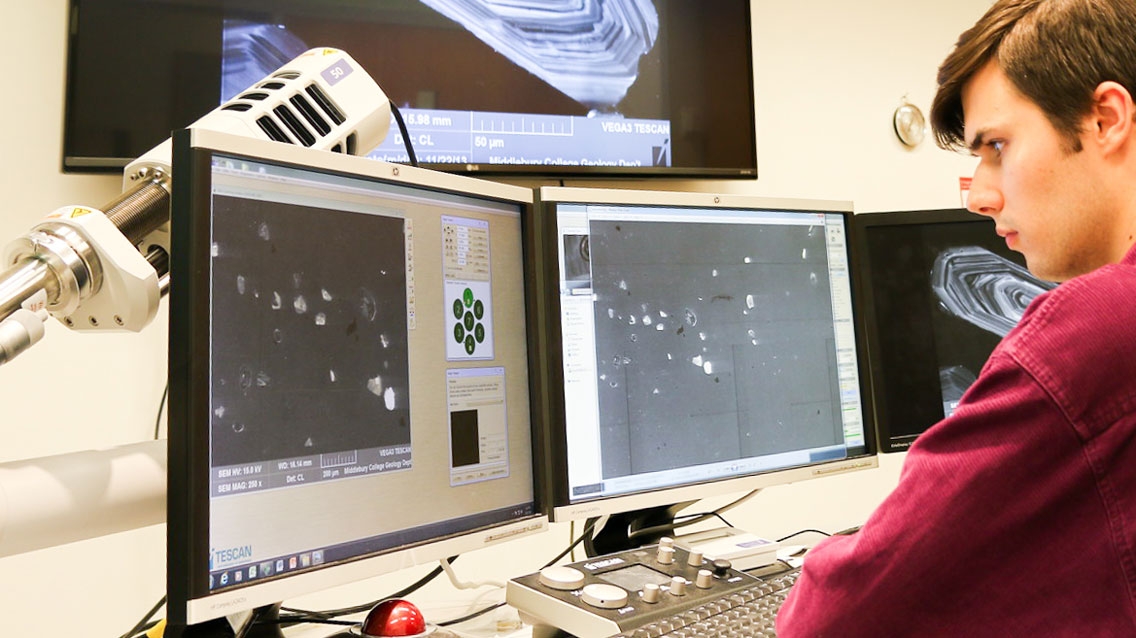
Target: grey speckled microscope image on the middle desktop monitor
<point>713,342</point>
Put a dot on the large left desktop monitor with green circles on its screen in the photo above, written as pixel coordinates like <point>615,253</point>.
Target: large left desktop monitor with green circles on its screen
<point>349,372</point>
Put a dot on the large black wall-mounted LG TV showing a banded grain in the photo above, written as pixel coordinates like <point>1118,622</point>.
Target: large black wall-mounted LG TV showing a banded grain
<point>590,88</point>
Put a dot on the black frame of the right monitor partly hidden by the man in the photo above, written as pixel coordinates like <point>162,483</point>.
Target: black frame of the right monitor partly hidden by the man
<point>890,442</point>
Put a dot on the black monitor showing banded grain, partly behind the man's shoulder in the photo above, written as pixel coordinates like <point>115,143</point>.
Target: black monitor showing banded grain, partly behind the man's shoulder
<point>941,290</point>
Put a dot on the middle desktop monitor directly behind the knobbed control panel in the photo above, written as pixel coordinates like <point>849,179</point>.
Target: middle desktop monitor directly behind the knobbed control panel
<point>697,345</point>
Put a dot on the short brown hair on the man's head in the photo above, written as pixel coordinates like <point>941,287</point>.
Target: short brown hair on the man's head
<point>1056,53</point>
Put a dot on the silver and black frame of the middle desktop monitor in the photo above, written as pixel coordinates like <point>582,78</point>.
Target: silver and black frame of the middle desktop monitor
<point>555,476</point>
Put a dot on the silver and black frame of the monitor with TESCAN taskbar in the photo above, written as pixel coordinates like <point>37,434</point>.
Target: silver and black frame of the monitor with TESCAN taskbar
<point>188,515</point>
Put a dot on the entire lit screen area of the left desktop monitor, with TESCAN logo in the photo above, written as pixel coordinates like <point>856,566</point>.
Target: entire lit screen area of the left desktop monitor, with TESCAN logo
<point>369,368</point>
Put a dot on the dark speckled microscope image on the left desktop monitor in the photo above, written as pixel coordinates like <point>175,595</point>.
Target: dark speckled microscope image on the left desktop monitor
<point>310,350</point>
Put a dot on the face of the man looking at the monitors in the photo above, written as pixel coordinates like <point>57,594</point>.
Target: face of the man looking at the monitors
<point>1047,200</point>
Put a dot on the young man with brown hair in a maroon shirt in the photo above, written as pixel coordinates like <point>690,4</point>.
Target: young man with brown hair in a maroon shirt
<point>1017,515</point>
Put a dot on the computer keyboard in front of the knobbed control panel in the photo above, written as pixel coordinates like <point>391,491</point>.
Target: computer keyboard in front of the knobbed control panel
<point>749,612</point>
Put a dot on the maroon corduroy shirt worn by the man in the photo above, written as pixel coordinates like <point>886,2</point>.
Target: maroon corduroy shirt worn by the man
<point>1017,515</point>
